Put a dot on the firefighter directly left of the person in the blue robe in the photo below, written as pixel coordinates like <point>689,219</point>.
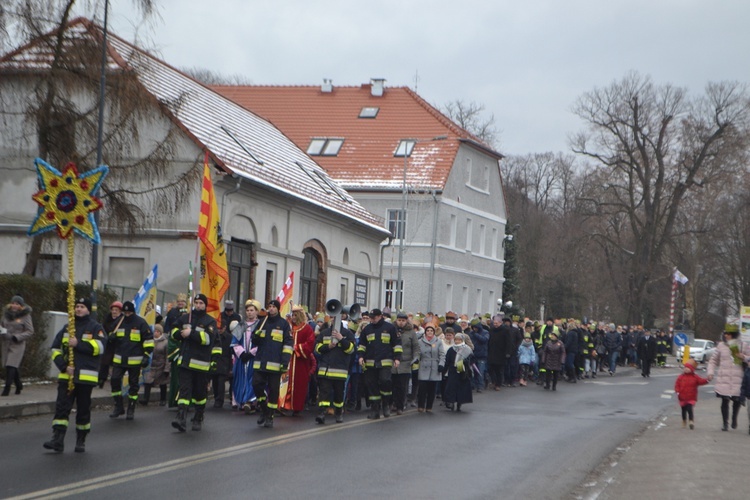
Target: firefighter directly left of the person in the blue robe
<point>196,335</point>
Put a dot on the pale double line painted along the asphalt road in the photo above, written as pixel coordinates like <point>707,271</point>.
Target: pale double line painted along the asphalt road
<point>182,463</point>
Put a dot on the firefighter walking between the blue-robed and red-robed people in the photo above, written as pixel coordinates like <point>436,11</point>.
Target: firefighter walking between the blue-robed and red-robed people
<point>275,346</point>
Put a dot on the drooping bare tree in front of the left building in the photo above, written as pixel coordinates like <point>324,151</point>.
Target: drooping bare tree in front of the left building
<point>61,109</point>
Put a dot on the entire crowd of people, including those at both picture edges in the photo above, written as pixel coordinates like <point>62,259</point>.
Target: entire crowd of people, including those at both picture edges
<point>379,362</point>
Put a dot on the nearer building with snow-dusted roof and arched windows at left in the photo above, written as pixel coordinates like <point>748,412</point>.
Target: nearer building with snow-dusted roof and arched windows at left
<point>280,211</point>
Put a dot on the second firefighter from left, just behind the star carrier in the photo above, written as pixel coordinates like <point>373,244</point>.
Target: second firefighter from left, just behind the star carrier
<point>133,344</point>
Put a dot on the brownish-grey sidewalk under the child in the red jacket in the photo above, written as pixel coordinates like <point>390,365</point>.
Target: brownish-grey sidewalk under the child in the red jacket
<point>668,462</point>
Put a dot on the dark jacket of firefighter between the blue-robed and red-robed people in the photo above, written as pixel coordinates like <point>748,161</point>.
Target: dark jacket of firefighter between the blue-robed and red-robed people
<point>275,345</point>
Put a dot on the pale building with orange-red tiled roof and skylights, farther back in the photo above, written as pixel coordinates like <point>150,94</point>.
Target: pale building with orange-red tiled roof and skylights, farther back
<point>381,143</point>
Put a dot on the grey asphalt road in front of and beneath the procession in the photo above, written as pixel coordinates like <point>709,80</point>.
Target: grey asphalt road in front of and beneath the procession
<point>516,443</point>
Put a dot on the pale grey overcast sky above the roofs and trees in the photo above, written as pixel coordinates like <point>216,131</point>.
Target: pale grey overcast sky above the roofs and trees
<point>526,61</point>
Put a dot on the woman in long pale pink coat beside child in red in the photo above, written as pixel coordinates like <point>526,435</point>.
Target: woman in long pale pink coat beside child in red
<point>726,366</point>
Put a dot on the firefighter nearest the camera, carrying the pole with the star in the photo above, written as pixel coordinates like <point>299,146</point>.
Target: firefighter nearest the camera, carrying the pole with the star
<point>87,343</point>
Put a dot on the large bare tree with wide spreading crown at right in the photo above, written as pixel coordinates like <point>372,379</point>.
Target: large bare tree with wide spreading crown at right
<point>652,146</point>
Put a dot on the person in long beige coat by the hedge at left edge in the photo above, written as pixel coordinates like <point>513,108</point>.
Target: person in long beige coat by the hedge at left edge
<point>17,329</point>
